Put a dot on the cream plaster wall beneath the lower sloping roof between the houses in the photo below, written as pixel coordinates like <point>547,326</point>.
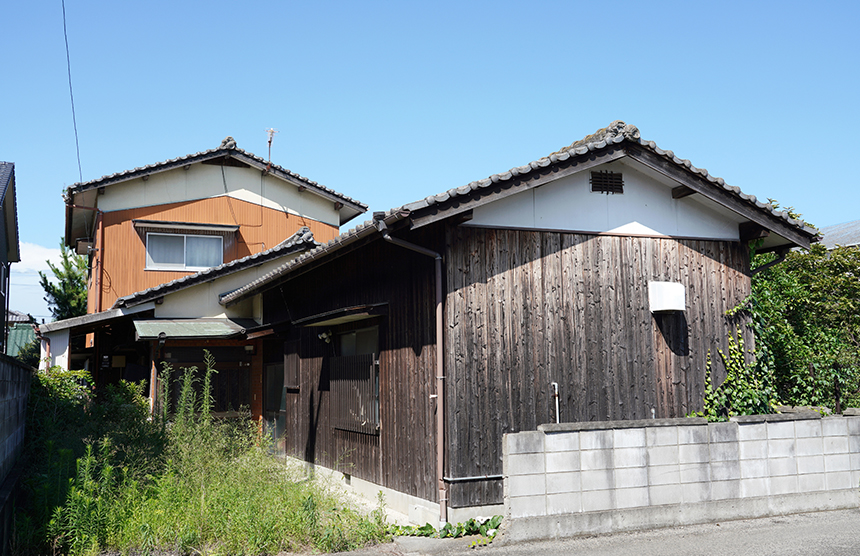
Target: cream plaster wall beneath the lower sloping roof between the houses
<point>201,301</point>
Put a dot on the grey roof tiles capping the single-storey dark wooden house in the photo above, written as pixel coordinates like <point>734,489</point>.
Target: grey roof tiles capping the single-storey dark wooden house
<point>614,134</point>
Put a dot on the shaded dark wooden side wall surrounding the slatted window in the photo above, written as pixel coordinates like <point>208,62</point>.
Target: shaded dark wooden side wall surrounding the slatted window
<point>402,455</point>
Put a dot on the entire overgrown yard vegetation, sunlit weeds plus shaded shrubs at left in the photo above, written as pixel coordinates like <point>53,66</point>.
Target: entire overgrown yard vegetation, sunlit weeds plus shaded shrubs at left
<point>184,482</point>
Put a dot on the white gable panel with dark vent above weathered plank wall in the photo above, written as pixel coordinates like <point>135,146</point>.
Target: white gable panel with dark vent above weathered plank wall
<point>645,208</point>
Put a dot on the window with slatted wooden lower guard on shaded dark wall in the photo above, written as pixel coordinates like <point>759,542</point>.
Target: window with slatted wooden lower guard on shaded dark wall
<point>354,381</point>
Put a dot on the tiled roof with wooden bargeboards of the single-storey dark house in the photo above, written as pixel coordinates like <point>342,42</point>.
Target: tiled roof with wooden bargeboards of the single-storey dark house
<point>611,143</point>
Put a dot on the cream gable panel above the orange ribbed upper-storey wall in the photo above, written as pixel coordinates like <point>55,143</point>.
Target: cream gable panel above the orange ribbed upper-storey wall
<point>202,181</point>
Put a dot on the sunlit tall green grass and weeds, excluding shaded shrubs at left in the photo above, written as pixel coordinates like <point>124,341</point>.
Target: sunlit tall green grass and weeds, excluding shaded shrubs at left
<point>215,489</point>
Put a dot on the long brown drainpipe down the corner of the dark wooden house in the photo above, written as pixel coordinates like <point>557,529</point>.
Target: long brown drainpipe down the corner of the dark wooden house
<point>440,367</point>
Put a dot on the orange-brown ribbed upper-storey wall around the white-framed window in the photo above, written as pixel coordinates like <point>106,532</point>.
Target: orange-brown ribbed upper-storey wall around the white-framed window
<point>125,251</point>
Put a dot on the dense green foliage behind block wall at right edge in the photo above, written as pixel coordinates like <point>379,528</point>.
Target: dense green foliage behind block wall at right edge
<point>806,315</point>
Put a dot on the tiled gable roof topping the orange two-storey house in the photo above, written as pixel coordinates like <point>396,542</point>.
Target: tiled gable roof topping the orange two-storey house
<point>227,147</point>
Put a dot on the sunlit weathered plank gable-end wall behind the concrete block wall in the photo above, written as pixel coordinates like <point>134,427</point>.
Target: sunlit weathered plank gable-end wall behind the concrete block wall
<point>528,308</point>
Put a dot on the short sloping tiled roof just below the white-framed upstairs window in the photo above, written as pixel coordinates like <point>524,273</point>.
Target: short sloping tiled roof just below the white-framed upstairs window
<point>303,239</point>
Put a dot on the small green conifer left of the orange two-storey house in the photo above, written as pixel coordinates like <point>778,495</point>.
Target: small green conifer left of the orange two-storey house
<point>68,297</point>
